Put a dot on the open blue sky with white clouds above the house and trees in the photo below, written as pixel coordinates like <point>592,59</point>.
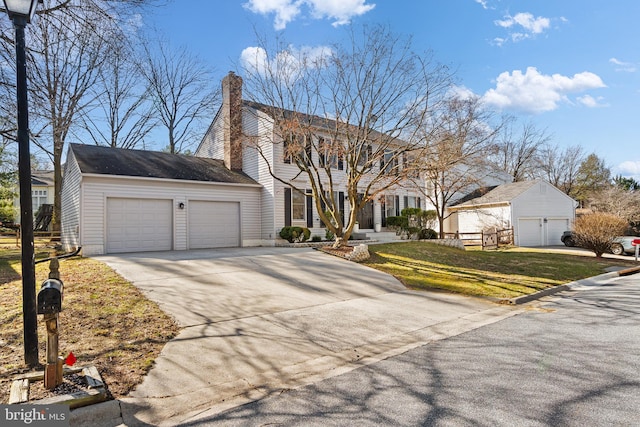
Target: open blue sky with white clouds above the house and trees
<point>570,67</point>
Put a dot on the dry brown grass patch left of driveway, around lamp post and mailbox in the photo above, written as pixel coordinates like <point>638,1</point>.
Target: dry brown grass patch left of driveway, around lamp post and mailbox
<point>105,322</point>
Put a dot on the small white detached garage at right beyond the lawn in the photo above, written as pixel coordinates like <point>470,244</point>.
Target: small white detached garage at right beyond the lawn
<point>538,212</point>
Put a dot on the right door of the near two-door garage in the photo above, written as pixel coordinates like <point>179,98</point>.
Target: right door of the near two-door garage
<point>214,224</point>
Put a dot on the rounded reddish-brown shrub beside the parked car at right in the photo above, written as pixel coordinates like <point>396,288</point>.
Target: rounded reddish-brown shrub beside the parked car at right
<point>596,231</point>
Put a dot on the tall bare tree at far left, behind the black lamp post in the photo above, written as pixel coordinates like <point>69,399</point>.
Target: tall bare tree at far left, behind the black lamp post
<point>68,42</point>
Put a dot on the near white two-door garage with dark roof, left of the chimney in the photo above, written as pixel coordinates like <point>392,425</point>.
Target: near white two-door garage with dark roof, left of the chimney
<point>116,200</point>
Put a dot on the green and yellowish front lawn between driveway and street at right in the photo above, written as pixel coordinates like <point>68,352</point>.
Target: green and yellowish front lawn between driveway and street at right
<point>499,274</point>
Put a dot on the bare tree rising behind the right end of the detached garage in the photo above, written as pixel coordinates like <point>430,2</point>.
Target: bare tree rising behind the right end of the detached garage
<point>560,166</point>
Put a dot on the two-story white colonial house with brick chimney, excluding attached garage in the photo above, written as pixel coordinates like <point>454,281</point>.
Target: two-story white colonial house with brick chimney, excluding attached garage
<point>243,134</point>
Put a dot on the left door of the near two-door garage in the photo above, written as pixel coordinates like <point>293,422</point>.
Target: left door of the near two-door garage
<point>138,225</point>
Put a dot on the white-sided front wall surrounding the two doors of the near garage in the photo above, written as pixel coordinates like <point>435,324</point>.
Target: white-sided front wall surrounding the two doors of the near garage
<point>97,188</point>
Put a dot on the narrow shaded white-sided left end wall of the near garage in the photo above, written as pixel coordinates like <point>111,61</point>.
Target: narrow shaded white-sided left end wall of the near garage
<point>71,196</point>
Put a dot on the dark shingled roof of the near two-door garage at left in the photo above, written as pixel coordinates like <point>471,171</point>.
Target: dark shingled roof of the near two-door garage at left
<point>93,159</point>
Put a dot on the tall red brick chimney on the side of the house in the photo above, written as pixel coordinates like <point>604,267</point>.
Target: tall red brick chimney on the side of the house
<point>232,116</point>
